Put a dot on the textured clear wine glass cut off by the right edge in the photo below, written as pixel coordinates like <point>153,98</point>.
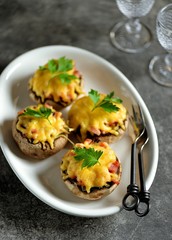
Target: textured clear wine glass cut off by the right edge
<point>160,66</point>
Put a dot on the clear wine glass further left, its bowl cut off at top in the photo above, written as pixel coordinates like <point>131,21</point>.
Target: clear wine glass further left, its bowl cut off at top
<point>131,35</point>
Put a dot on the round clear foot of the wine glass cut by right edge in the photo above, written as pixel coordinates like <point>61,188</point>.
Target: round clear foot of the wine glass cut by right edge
<point>160,71</point>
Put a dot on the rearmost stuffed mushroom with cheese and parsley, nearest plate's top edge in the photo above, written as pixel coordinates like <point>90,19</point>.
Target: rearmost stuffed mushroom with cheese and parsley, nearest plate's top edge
<point>57,83</point>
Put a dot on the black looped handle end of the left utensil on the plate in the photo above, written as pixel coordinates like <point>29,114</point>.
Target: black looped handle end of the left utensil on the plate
<point>131,198</point>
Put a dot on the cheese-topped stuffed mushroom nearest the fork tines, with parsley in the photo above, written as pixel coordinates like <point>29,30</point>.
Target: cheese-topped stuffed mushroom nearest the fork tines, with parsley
<point>101,117</point>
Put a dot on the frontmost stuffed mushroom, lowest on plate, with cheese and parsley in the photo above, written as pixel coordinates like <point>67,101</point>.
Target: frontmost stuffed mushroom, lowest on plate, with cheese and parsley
<point>91,170</point>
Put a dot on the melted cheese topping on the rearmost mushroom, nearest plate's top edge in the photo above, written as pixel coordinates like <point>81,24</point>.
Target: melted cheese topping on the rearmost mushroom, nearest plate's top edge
<point>47,85</point>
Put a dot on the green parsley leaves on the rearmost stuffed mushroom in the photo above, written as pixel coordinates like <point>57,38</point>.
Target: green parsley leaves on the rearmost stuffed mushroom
<point>60,69</point>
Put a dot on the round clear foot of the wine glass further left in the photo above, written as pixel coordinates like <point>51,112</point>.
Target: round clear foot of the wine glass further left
<point>128,41</point>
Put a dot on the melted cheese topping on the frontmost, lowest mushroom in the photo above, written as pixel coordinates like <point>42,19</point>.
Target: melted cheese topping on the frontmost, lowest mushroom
<point>98,175</point>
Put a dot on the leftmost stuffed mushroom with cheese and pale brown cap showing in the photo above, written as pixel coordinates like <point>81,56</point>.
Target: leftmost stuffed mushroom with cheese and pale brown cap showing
<point>40,131</point>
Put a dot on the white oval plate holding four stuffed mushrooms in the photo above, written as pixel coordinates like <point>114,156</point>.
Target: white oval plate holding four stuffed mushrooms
<point>43,178</point>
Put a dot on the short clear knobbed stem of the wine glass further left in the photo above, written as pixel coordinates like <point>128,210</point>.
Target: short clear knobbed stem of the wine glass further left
<point>133,26</point>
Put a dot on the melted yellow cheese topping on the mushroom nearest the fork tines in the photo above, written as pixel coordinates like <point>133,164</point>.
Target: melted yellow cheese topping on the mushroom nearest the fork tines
<point>98,121</point>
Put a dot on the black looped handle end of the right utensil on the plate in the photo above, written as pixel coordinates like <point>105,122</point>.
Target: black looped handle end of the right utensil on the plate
<point>143,207</point>
